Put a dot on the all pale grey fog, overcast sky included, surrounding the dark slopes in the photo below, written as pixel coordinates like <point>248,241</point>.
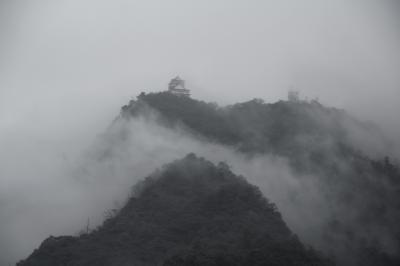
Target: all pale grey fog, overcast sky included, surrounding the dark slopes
<point>67,67</point>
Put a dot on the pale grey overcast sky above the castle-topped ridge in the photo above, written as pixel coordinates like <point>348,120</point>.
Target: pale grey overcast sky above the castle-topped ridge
<point>66,67</point>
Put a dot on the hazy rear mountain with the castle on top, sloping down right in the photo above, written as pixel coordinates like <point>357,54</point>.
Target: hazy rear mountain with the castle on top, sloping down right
<point>350,161</point>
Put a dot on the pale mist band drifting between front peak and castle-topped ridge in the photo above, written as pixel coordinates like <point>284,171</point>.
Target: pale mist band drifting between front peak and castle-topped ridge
<point>49,193</point>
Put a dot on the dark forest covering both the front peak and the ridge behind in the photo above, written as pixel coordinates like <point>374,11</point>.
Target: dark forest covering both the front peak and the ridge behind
<point>192,212</point>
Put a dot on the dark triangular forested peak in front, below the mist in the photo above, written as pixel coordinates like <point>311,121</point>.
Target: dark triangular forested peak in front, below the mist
<point>191,212</point>
